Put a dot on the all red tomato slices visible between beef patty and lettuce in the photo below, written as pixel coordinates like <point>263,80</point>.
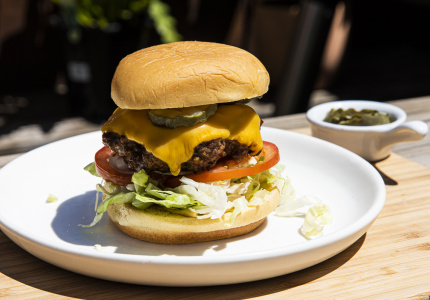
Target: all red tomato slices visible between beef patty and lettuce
<point>225,169</point>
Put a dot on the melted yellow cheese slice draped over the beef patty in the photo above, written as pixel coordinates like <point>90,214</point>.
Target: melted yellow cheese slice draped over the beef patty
<point>174,146</point>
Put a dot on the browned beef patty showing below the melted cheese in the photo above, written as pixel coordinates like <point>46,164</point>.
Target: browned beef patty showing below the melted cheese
<point>205,156</point>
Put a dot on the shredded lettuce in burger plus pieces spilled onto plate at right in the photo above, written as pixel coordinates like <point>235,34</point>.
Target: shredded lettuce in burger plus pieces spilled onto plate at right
<point>212,200</point>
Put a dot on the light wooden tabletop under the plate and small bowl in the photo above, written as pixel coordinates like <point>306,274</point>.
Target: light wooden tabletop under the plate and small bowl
<point>391,261</point>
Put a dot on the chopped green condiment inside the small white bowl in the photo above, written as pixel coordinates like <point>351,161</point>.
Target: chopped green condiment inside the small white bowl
<point>365,117</point>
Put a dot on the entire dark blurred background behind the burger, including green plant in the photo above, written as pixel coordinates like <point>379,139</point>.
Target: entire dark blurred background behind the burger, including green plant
<point>57,57</point>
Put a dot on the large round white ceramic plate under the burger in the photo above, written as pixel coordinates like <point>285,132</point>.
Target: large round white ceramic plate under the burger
<point>351,187</point>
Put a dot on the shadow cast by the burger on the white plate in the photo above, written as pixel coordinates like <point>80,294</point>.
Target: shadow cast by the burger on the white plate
<point>81,210</point>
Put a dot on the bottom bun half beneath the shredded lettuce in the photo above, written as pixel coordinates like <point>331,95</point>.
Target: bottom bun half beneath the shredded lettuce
<point>157,225</point>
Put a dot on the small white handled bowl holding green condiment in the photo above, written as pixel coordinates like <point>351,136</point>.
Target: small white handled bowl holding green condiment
<point>373,143</point>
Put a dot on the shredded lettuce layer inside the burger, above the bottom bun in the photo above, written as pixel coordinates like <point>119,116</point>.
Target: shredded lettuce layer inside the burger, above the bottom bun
<point>206,200</point>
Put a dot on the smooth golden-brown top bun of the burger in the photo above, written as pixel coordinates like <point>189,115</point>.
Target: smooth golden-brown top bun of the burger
<point>187,74</point>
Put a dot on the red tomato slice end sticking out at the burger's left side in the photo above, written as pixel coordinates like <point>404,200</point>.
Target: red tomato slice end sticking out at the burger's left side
<point>106,171</point>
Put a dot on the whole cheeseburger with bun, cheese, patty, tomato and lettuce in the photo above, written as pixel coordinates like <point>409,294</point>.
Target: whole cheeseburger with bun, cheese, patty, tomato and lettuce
<point>183,159</point>
